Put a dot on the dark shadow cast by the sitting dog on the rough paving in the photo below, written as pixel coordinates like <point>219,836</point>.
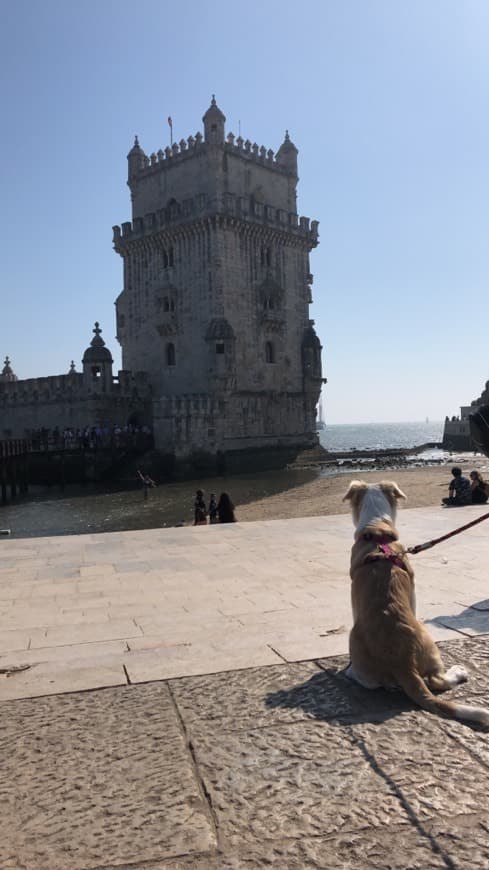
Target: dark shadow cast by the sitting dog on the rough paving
<point>330,696</point>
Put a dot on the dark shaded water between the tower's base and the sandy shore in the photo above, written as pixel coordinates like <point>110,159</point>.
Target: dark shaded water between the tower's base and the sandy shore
<point>83,510</point>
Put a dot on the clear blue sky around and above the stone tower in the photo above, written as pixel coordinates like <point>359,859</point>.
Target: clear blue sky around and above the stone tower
<point>388,103</point>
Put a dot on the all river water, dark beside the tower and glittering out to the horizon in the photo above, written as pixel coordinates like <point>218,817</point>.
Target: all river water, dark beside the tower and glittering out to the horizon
<point>82,510</point>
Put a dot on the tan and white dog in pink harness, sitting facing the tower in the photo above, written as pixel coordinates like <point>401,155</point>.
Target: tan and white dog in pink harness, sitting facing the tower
<point>388,646</point>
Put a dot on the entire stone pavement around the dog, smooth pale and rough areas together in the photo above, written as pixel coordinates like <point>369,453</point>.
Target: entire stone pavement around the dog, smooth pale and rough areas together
<point>218,730</point>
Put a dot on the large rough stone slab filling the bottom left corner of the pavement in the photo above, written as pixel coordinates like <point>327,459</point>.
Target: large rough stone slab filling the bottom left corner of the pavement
<point>98,778</point>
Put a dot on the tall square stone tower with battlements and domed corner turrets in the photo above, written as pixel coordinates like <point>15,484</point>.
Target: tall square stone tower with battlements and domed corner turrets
<point>217,288</point>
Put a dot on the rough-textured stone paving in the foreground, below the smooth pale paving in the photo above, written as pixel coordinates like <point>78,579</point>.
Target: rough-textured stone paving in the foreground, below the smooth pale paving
<point>287,766</point>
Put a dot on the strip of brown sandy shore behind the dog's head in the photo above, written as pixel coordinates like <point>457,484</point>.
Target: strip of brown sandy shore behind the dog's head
<point>422,486</point>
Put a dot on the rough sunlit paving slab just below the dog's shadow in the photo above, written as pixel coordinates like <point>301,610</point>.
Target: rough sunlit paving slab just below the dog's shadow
<point>293,781</point>
